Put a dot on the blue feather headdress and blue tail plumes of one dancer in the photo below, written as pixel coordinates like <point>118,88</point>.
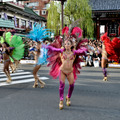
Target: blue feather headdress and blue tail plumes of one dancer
<point>39,34</point>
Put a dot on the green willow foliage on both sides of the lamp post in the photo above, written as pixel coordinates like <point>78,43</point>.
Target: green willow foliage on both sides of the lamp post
<point>76,13</point>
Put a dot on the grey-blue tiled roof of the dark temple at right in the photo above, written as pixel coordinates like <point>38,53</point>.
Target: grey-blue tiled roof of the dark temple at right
<point>105,4</point>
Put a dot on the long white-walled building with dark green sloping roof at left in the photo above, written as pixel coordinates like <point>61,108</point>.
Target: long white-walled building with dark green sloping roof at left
<point>18,18</point>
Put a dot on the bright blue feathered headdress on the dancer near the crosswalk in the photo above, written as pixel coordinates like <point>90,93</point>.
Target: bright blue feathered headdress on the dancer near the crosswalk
<point>38,33</point>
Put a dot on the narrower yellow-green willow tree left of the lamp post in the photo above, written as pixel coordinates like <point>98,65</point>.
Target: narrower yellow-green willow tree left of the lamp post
<point>53,19</point>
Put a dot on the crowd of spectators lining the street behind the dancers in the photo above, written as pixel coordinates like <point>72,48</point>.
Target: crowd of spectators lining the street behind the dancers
<point>93,57</point>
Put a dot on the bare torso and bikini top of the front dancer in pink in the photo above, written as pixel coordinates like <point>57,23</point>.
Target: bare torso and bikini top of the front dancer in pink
<point>67,62</point>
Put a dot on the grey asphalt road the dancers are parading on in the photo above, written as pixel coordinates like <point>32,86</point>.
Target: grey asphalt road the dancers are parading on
<point>92,98</point>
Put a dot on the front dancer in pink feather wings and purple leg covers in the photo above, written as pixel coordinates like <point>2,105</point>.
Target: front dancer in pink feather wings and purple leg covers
<point>65,62</point>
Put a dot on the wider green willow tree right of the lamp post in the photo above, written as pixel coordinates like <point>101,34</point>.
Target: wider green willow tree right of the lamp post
<point>80,13</point>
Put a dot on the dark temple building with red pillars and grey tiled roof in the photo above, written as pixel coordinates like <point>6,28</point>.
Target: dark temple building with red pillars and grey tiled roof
<point>106,17</point>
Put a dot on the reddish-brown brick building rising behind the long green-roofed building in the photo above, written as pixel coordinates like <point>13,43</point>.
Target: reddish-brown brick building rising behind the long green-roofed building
<point>39,6</point>
